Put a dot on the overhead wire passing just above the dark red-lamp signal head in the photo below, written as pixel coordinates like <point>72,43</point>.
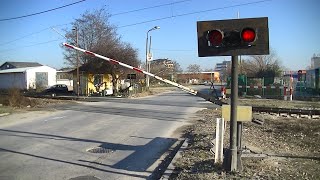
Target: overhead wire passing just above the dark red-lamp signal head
<point>195,12</point>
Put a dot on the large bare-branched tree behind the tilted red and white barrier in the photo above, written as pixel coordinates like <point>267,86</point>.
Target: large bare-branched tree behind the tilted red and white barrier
<point>96,34</point>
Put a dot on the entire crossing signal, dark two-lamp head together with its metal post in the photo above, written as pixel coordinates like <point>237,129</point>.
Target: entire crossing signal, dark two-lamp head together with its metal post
<point>232,38</point>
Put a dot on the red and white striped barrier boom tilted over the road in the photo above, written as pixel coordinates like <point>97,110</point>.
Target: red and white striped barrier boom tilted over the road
<point>189,90</point>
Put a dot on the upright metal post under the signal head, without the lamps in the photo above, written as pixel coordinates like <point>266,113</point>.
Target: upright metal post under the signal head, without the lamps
<point>233,117</point>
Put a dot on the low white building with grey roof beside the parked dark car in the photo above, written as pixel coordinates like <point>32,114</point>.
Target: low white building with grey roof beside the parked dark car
<point>27,77</point>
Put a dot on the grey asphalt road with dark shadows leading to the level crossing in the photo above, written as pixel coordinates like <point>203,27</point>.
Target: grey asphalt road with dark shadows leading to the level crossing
<point>134,134</point>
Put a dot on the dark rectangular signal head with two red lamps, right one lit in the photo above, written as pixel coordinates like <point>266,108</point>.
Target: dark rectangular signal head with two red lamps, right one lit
<point>233,37</point>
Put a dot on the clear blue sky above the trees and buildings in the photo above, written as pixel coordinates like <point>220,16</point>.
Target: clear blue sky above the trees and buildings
<point>294,28</point>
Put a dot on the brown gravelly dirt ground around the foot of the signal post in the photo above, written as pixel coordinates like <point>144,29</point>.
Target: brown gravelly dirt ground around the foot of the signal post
<point>291,146</point>
